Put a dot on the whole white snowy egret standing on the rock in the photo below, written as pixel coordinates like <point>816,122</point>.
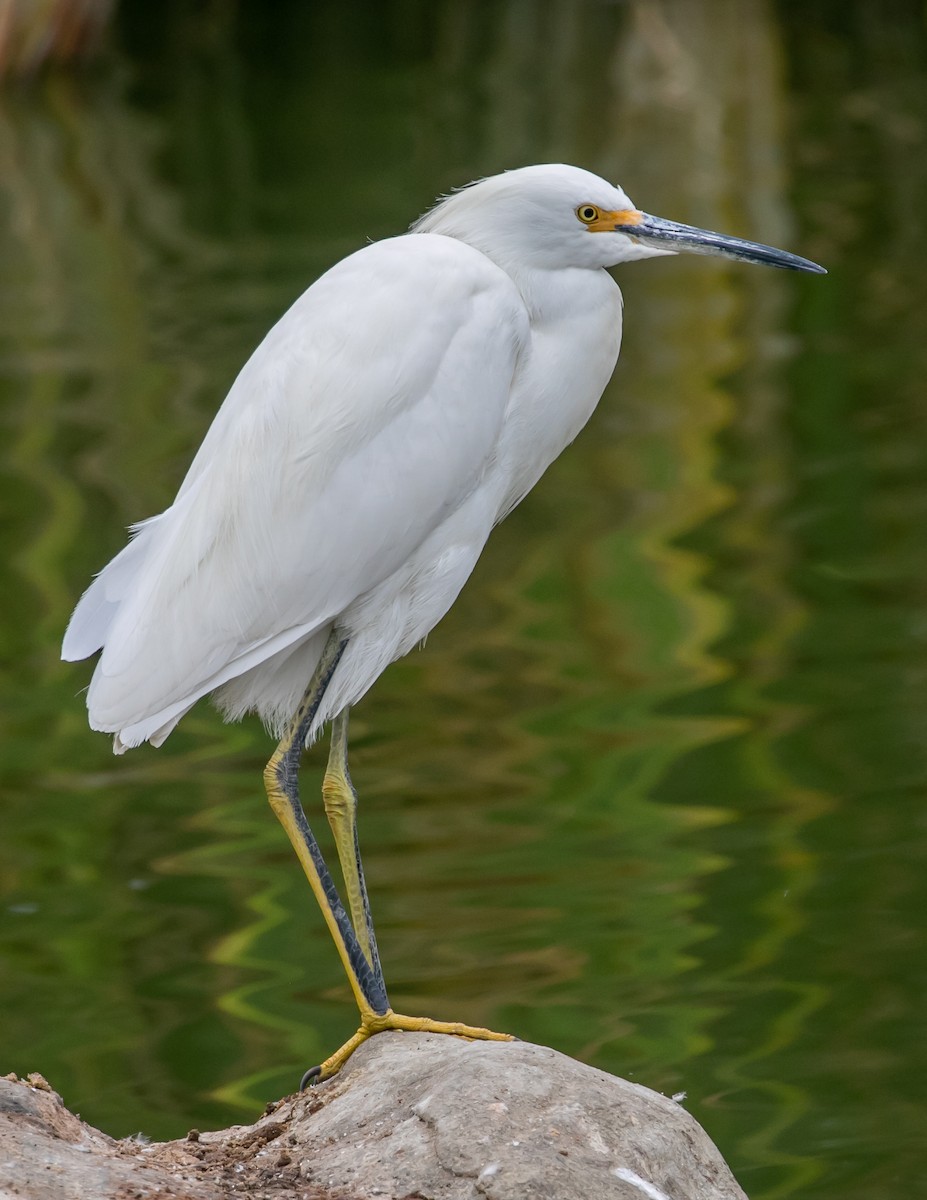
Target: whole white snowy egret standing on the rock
<point>399,411</point>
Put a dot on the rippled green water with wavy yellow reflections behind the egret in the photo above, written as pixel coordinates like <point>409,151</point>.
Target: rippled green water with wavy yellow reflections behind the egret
<point>654,793</point>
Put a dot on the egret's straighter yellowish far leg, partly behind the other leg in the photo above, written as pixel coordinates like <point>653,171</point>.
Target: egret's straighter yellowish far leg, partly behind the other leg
<point>342,809</point>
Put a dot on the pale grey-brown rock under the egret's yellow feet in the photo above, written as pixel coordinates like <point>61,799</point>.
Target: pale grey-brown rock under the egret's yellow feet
<point>411,1118</point>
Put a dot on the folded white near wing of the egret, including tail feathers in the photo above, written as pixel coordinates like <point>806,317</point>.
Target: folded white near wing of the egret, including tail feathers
<point>366,417</point>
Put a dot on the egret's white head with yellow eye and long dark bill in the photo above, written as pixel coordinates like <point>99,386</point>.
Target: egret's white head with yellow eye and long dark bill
<point>557,217</point>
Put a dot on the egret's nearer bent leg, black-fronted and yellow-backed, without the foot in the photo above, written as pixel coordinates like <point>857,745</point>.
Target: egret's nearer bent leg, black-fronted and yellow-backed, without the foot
<point>282,783</point>
